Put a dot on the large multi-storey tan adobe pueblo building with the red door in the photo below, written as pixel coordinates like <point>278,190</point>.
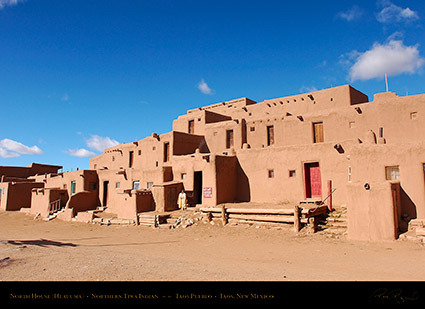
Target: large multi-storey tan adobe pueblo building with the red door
<point>328,145</point>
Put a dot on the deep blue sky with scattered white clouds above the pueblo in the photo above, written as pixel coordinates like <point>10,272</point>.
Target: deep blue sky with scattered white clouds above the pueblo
<point>78,76</point>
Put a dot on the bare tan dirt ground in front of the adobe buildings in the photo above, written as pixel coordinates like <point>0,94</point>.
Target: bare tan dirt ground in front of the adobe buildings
<point>34,250</point>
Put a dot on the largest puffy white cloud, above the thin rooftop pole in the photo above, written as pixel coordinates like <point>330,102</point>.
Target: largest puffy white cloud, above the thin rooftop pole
<point>393,58</point>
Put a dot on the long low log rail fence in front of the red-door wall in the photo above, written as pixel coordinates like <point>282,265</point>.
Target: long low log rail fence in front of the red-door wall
<point>296,216</point>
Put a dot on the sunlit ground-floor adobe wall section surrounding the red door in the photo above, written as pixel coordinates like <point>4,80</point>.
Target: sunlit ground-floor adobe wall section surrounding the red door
<point>254,177</point>
